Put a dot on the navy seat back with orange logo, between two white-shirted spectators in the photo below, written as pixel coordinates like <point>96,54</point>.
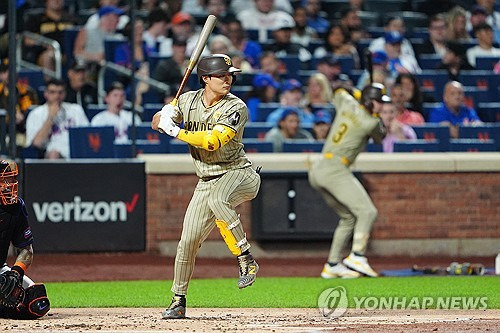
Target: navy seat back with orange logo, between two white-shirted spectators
<point>91,142</point>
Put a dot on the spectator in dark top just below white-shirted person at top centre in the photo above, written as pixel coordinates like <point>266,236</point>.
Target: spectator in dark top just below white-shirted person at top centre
<point>283,45</point>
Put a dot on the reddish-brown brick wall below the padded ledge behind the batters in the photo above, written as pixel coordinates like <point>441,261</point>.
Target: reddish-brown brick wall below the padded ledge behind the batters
<point>411,205</point>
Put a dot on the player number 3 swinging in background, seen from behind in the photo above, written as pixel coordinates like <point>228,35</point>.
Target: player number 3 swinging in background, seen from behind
<point>354,124</point>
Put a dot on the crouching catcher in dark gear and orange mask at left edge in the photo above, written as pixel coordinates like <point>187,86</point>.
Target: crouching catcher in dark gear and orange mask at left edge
<point>20,297</point>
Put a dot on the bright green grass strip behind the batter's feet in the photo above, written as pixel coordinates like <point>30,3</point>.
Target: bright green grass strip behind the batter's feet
<point>266,292</point>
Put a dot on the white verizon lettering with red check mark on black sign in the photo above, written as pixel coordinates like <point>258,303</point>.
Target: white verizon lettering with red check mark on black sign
<point>84,211</point>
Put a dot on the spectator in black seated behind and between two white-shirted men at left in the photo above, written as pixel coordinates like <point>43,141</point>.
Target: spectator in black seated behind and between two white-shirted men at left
<point>78,90</point>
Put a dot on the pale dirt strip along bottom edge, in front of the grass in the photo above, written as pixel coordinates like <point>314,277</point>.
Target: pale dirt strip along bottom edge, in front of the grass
<point>258,320</point>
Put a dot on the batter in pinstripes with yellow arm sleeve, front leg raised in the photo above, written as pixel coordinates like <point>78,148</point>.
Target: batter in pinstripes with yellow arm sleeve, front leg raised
<point>213,127</point>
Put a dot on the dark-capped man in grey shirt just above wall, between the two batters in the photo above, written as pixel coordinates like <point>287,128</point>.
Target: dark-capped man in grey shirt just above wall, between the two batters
<point>288,129</point>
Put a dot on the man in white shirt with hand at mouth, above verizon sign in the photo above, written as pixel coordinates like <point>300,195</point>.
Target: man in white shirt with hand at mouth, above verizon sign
<point>47,126</point>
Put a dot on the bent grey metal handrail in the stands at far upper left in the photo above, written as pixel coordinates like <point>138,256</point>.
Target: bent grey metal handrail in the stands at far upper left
<point>40,40</point>
